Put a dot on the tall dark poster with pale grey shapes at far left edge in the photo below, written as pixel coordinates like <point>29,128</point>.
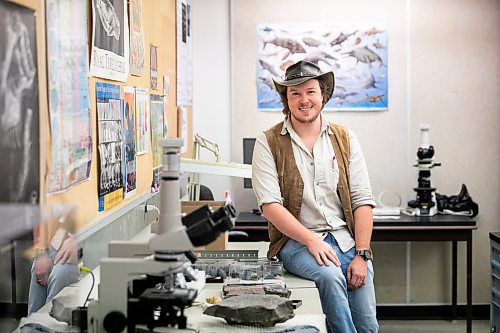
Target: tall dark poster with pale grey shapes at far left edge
<point>19,108</point>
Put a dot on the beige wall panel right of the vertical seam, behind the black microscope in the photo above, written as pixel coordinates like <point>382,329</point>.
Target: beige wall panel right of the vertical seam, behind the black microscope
<point>455,85</point>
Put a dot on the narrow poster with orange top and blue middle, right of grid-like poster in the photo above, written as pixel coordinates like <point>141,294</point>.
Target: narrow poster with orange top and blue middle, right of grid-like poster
<point>129,155</point>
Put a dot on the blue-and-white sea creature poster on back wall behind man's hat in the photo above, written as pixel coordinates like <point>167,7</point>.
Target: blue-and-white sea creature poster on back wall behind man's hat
<point>356,53</point>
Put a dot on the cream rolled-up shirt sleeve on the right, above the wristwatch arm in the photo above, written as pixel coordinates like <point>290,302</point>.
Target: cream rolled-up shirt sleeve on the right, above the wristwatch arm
<point>359,181</point>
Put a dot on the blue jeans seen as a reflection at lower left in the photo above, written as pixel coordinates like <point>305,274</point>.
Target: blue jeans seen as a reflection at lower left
<point>62,275</point>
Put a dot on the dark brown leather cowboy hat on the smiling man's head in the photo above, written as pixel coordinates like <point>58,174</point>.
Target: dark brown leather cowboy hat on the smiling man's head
<point>302,71</point>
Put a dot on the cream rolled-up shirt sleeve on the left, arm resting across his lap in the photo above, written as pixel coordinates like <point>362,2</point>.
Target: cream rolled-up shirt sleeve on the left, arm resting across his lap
<point>264,174</point>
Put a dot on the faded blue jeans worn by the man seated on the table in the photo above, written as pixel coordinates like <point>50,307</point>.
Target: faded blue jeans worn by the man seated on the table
<point>346,311</point>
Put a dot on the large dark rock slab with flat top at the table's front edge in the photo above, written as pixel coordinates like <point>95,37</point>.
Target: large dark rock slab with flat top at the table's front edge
<point>253,310</point>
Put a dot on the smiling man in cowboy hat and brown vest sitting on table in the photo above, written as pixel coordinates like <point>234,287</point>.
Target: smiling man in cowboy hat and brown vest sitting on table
<point>312,185</point>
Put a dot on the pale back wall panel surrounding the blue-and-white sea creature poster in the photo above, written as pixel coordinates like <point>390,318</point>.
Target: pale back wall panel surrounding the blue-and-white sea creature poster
<point>382,155</point>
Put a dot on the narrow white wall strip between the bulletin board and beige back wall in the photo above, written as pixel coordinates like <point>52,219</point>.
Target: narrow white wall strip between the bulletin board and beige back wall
<point>211,83</point>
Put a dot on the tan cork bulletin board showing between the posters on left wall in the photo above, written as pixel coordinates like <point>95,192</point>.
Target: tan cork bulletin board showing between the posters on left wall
<point>159,29</point>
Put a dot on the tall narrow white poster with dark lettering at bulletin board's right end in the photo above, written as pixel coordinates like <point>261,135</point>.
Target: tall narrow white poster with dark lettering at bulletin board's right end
<point>184,54</point>
